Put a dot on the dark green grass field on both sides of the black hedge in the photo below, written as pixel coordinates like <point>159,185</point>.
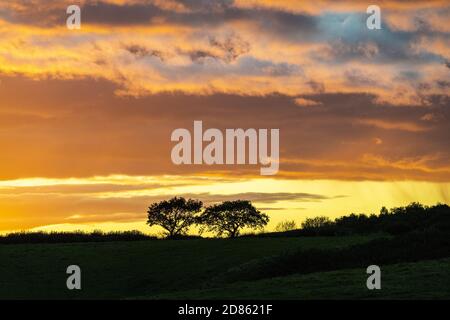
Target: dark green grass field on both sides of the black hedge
<point>184,269</point>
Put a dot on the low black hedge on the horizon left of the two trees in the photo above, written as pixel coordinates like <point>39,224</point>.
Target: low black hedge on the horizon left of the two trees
<point>62,237</point>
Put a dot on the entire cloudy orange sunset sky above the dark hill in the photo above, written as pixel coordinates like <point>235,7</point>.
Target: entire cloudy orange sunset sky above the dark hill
<point>86,115</point>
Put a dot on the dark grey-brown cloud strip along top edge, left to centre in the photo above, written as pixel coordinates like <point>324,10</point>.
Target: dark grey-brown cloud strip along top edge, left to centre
<point>199,14</point>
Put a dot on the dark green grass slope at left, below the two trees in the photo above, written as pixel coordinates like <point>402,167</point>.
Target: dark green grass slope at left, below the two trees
<point>141,268</point>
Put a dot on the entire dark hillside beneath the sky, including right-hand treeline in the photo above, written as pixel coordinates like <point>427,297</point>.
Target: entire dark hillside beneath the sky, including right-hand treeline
<point>324,259</point>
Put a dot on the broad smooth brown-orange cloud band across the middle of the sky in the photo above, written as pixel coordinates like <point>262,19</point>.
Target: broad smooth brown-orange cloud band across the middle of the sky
<point>80,128</point>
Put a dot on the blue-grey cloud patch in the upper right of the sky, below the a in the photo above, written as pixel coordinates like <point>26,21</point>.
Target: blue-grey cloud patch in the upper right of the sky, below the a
<point>349,39</point>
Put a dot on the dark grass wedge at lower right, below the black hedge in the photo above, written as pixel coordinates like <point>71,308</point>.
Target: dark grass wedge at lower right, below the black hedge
<point>419,280</point>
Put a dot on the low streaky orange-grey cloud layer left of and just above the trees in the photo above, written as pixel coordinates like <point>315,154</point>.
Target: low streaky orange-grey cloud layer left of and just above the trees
<point>46,204</point>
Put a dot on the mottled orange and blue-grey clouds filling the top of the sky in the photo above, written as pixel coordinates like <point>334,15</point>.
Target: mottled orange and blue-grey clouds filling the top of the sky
<point>208,47</point>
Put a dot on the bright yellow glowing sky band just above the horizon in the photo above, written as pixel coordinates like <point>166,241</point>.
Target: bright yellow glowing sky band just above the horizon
<point>334,198</point>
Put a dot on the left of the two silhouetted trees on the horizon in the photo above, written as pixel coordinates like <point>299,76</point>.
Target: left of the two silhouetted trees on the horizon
<point>175,215</point>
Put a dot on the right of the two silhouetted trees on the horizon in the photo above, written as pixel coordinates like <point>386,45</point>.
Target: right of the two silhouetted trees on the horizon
<point>231,216</point>
